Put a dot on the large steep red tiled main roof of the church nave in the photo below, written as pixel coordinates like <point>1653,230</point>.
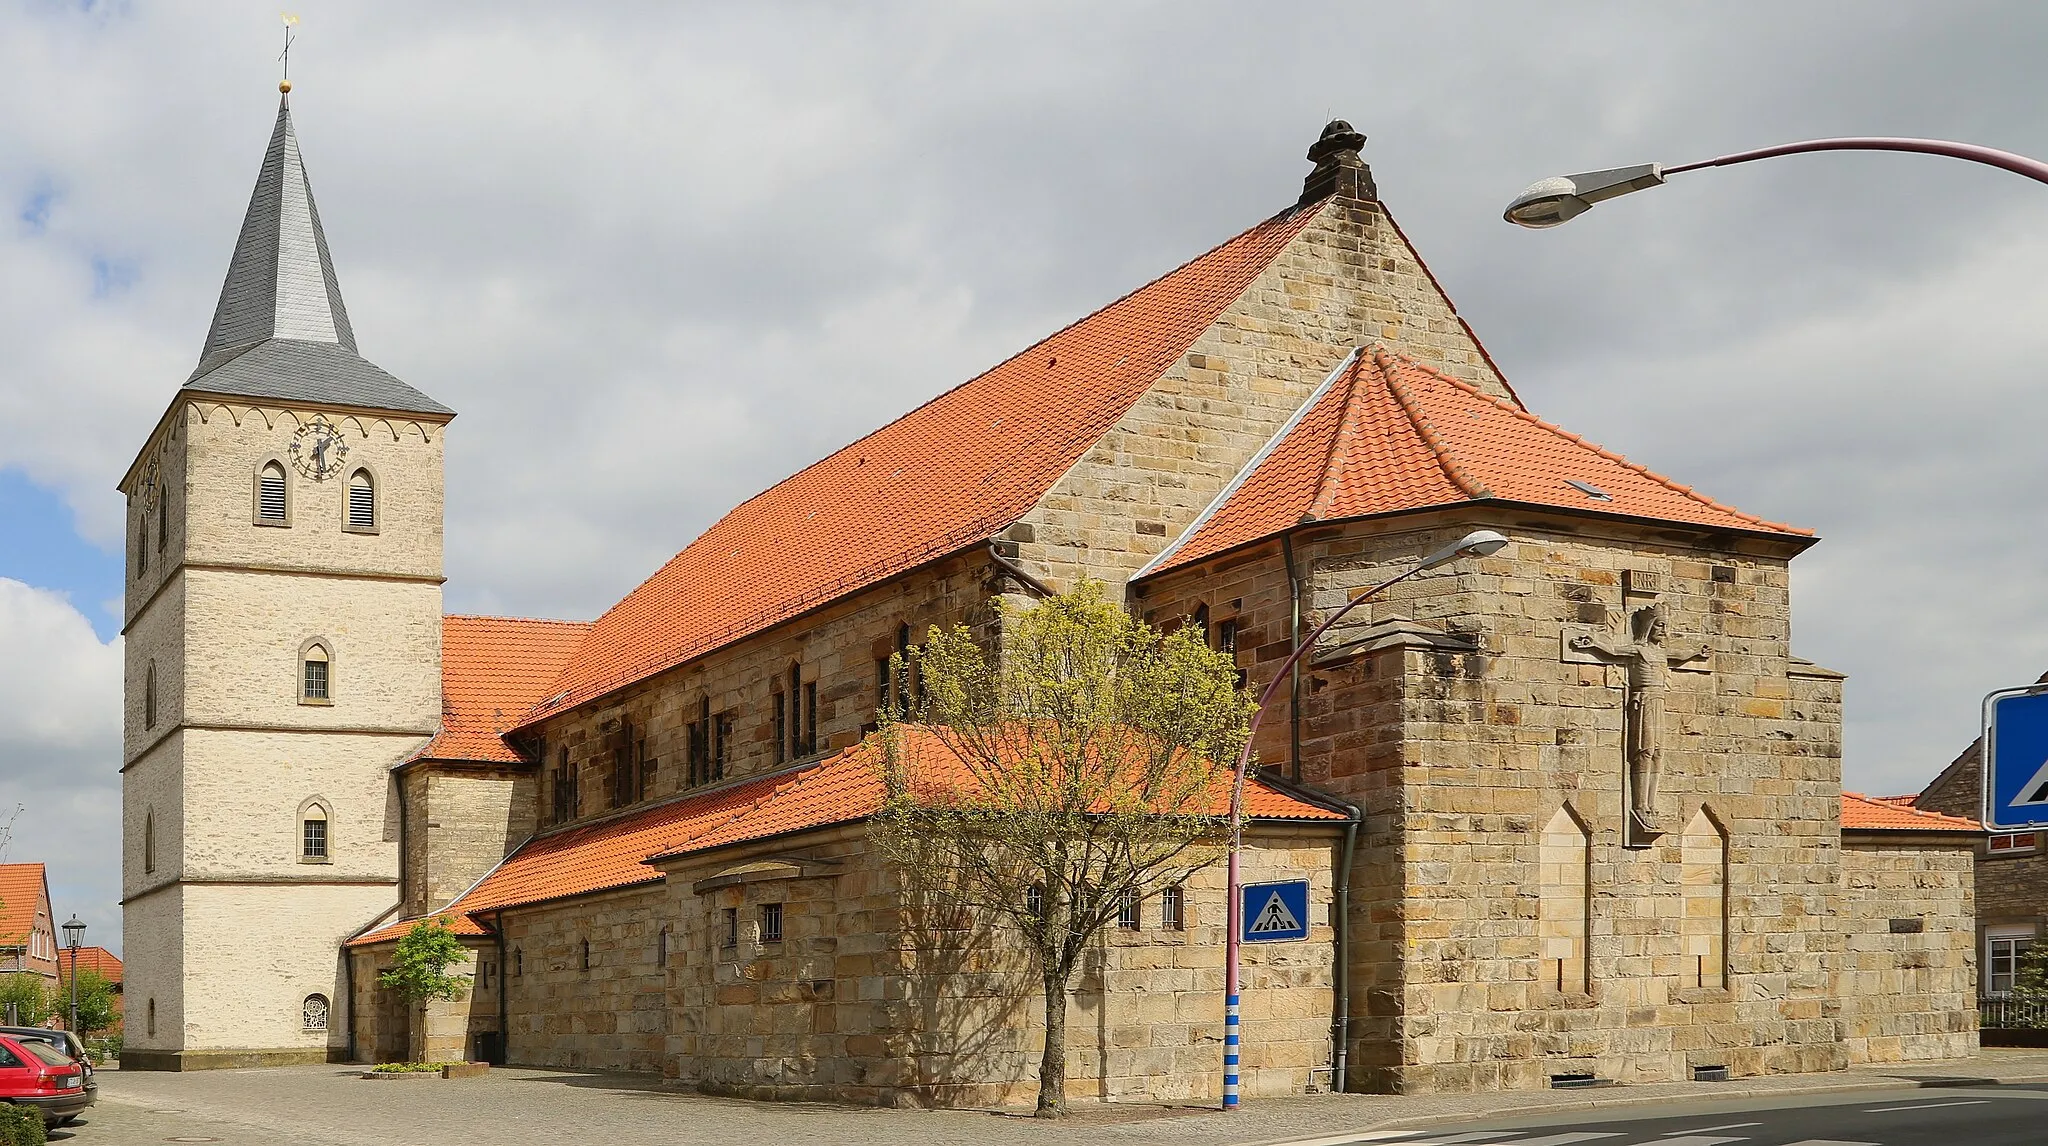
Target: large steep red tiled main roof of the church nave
<point>947,476</point>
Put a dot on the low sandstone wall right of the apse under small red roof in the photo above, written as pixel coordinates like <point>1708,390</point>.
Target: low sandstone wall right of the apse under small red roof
<point>1908,994</point>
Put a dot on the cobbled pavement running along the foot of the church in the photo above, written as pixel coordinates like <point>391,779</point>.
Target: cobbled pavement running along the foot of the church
<point>331,1106</point>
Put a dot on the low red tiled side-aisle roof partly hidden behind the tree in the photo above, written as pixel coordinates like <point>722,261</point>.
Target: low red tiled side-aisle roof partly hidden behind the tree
<point>607,856</point>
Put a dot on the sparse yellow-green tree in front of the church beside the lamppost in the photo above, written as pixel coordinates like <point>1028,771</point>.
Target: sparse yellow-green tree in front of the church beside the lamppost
<point>1043,787</point>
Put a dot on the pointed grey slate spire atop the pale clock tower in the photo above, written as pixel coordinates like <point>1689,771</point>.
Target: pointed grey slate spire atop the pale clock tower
<point>282,328</point>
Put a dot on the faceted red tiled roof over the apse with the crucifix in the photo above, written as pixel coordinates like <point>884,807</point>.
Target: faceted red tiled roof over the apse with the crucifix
<point>1390,433</point>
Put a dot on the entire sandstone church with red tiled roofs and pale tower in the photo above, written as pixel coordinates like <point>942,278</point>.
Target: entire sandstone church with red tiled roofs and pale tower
<point>1568,811</point>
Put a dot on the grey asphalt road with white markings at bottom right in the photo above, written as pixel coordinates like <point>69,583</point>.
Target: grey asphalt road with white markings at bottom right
<point>1975,1116</point>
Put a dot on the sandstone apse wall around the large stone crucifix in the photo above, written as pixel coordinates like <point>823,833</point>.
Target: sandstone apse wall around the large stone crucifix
<point>1463,742</point>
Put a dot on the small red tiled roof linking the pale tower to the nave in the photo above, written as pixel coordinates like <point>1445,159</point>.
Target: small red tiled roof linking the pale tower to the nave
<point>493,670</point>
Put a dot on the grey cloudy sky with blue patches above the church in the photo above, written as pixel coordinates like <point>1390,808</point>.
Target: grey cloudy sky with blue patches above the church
<point>660,257</point>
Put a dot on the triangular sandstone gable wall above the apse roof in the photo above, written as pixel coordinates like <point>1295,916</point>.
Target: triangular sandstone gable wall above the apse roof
<point>1349,279</point>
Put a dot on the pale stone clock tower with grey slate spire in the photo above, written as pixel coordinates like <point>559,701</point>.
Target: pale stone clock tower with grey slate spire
<point>284,652</point>
